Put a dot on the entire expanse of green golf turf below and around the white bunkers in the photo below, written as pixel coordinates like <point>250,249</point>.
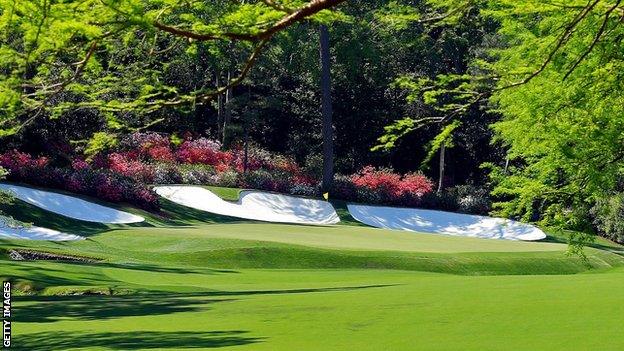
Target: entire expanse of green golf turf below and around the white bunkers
<point>189,280</point>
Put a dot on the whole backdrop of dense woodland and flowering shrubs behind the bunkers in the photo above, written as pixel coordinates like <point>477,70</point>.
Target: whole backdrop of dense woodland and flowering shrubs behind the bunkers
<point>518,103</point>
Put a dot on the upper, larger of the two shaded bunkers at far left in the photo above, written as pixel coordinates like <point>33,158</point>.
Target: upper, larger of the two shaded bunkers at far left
<point>70,206</point>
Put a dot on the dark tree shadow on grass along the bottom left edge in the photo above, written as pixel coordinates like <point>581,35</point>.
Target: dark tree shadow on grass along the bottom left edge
<point>134,340</point>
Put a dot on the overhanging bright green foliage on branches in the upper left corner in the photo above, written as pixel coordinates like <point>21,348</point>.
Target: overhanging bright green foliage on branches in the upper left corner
<point>115,58</point>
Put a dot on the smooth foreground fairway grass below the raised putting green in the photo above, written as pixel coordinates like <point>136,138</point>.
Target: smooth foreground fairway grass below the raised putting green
<point>337,310</point>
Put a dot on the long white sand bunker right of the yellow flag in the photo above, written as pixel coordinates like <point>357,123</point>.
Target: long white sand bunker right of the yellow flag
<point>428,221</point>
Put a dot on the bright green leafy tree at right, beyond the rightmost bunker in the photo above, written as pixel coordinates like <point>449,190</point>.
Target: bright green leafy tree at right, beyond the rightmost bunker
<point>562,126</point>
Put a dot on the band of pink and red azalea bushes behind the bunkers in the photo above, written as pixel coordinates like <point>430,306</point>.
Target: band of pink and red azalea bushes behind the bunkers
<point>145,158</point>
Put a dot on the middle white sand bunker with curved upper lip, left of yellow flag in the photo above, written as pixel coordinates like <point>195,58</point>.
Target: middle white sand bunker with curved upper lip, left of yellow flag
<point>254,205</point>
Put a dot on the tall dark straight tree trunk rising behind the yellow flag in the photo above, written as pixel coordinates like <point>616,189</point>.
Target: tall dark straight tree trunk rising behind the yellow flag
<point>326,111</point>
